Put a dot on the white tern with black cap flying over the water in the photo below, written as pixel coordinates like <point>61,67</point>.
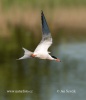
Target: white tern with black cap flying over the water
<point>41,50</point>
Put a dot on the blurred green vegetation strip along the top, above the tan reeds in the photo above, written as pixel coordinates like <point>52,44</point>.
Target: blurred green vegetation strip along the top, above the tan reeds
<point>43,3</point>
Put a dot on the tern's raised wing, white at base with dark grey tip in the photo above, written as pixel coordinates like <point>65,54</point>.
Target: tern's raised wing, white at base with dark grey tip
<point>46,36</point>
